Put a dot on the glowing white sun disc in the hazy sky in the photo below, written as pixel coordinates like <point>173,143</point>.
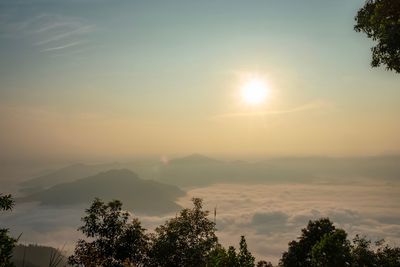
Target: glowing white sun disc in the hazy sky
<point>254,92</point>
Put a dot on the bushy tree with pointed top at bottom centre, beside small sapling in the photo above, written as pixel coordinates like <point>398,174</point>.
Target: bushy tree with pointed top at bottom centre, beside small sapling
<point>186,240</point>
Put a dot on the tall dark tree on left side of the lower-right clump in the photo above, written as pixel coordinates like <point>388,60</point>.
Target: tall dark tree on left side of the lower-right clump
<point>299,252</point>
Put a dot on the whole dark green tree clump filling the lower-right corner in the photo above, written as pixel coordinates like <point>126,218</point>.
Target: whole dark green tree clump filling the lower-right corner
<point>321,244</point>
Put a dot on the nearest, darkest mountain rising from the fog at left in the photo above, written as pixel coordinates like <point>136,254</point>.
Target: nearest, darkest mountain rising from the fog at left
<point>138,195</point>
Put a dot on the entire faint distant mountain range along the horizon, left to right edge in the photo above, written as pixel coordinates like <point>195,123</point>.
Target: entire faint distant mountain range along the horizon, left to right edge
<point>200,170</point>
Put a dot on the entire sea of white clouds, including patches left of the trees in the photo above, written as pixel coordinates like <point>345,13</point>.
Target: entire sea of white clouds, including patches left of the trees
<point>269,216</point>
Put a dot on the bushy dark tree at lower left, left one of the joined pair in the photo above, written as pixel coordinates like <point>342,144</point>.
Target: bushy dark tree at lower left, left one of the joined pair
<point>115,241</point>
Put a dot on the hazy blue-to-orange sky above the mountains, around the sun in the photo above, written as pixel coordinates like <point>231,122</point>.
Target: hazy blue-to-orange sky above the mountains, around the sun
<point>92,78</point>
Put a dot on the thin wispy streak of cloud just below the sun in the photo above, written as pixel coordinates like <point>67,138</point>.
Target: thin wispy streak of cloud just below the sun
<point>315,105</point>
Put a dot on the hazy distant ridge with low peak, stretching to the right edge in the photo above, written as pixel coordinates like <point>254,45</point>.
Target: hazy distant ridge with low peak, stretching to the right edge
<point>198,170</point>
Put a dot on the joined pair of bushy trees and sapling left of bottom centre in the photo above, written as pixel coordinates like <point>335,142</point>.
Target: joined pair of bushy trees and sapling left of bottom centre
<point>186,240</point>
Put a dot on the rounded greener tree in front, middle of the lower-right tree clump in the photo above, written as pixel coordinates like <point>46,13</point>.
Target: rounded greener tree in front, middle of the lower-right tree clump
<point>333,250</point>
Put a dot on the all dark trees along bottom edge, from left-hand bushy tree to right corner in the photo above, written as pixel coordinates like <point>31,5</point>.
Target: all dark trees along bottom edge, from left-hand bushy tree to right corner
<point>189,239</point>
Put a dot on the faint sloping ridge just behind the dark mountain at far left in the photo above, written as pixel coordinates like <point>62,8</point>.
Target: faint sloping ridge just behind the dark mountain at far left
<point>66,174</point>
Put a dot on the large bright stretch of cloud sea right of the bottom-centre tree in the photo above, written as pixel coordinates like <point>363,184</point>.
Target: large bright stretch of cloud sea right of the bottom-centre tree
<point>270,216</point>
